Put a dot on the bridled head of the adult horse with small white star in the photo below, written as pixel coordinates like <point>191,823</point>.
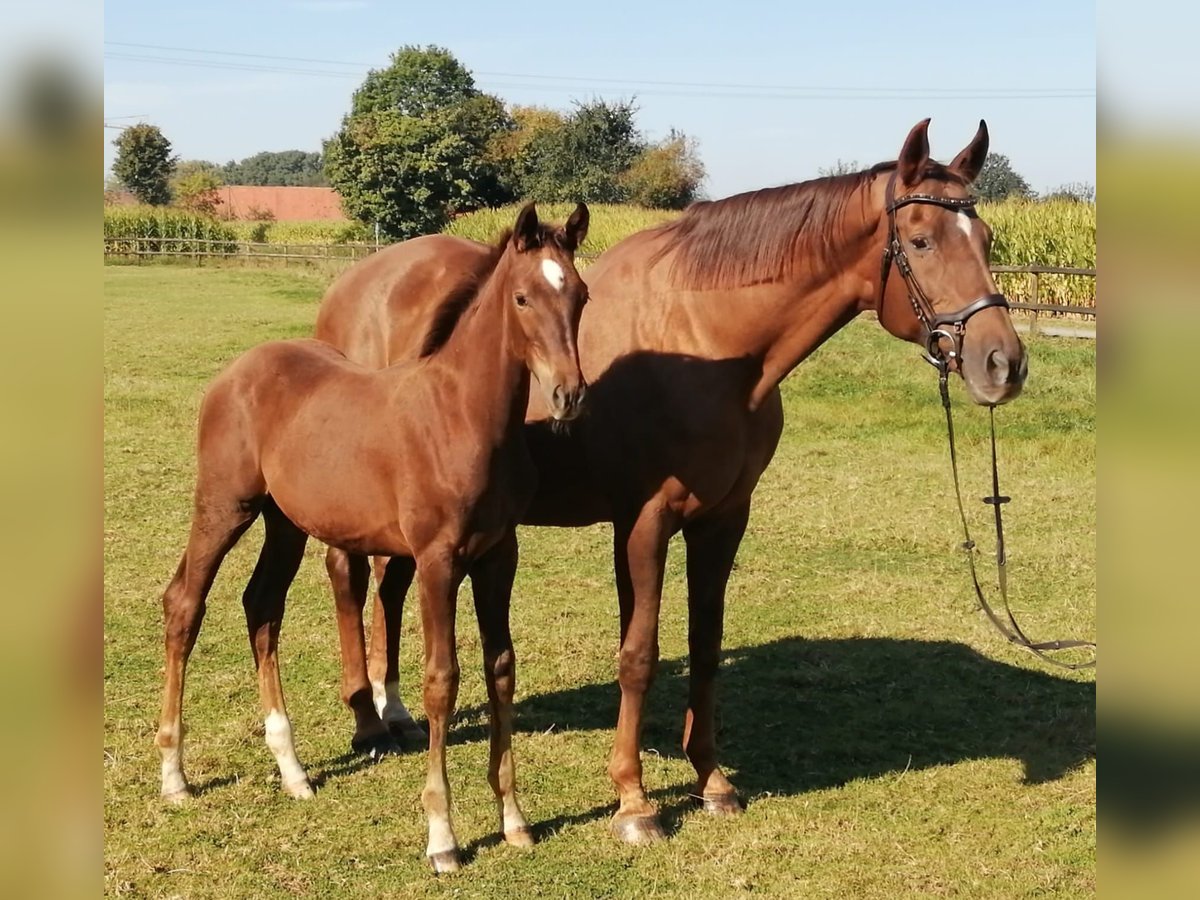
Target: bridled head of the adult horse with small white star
<point>947,248</point>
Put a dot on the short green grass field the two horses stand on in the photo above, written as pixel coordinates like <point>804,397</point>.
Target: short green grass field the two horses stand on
<point>889,742</point>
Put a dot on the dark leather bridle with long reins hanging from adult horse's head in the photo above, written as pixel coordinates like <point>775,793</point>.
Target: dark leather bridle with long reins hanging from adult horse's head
<point>952,327</point>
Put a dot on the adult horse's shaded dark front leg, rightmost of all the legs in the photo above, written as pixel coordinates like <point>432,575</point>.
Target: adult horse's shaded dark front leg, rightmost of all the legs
<point>712,547</point>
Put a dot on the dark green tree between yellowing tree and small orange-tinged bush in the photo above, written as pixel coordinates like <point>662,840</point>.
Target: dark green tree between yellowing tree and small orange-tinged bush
<point>585,158</point>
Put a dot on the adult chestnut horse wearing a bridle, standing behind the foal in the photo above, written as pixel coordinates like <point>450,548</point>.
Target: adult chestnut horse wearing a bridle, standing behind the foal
<point>691,329</point>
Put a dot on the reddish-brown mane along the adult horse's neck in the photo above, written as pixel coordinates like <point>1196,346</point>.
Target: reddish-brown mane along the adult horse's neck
<point>761,237</point>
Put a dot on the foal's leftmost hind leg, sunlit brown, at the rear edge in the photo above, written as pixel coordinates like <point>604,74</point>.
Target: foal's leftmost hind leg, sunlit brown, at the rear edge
<point>217,527</point>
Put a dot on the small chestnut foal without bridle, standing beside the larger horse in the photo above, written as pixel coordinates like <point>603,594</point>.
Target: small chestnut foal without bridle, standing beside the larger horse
<point>423,460</point>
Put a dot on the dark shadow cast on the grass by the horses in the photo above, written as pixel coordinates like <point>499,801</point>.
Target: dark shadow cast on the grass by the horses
<point>800,716</point>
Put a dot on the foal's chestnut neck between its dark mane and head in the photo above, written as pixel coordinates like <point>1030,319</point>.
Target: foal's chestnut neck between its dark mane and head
<point>481,358</point>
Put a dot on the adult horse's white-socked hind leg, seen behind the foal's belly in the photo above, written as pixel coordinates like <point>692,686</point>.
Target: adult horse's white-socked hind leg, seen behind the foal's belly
<point>394,577</point>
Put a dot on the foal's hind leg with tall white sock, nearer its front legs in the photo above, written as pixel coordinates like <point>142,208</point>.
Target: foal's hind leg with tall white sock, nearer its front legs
<point>263,603</point>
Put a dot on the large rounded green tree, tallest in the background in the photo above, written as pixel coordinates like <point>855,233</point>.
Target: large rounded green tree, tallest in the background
<point>417,146</point>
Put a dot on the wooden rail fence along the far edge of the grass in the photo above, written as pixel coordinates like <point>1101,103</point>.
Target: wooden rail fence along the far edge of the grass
<point>201,249</point>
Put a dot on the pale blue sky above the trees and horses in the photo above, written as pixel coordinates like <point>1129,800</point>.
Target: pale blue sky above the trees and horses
<point>871,70</point>
